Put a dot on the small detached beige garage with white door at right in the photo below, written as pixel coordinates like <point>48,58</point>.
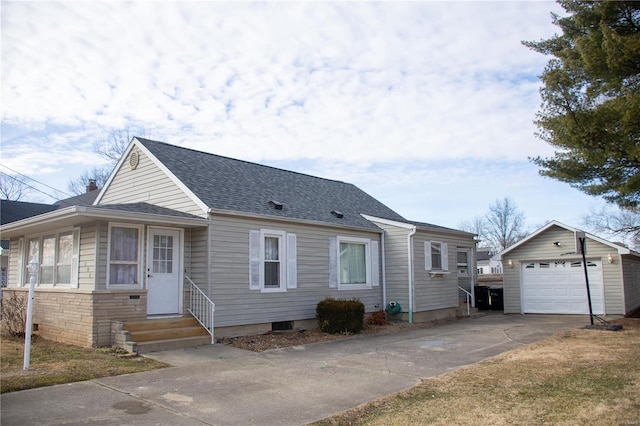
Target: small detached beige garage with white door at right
<point>544,273</point>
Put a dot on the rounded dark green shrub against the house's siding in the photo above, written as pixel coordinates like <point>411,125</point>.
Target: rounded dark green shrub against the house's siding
<point>340,316</point>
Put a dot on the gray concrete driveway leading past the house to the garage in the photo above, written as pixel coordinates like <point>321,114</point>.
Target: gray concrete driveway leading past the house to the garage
<point>220,385</point>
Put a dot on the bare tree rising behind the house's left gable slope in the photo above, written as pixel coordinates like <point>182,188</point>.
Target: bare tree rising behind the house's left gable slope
<point>111,148</point>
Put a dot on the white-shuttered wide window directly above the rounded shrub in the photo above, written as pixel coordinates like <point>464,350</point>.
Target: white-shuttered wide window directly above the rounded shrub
<point>353,263</point>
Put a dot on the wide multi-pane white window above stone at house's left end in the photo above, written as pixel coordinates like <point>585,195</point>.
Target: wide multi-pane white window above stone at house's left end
<point>57,256</point>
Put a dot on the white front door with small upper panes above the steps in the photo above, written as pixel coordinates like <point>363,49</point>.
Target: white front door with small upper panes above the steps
<point>163,272</point>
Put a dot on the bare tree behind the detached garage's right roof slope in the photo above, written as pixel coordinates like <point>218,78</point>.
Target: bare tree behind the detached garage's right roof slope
<point>623,224</point>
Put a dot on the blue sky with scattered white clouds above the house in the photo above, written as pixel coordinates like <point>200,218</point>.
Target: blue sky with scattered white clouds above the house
<point>427,106</point>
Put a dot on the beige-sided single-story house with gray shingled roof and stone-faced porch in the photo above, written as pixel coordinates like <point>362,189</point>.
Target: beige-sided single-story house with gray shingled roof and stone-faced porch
<point>265,244</point>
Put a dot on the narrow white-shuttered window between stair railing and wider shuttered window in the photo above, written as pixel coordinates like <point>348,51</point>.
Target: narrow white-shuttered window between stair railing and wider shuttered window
<point>272,263</point>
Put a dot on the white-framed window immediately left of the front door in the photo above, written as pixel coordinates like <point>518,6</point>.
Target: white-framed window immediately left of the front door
<point>124,255</point>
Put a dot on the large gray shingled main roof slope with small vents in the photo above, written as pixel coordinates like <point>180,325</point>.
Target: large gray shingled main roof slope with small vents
<point>227,184</point>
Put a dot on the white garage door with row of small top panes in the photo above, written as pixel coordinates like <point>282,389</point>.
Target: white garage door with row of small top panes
<point>558,287</point>
